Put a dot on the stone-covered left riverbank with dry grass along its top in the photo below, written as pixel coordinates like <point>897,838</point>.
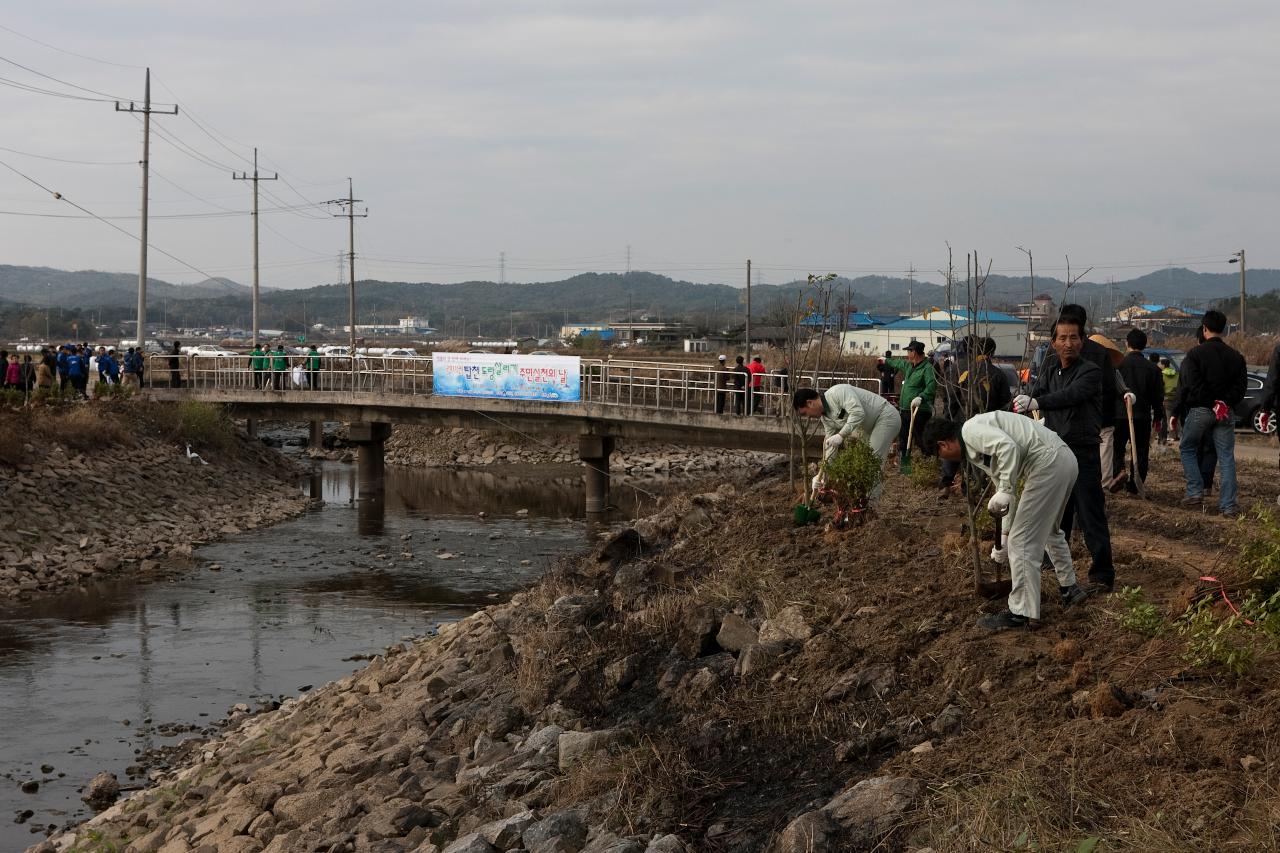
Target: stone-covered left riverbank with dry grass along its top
<point>94,491</point>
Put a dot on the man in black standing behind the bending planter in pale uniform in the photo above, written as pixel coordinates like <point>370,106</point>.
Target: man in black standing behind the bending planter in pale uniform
<point>1069,393</point>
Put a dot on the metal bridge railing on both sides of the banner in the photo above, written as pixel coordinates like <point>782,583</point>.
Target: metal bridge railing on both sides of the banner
<point>644,385</point>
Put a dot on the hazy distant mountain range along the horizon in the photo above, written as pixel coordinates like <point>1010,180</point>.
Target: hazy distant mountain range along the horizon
<point>492,309</point>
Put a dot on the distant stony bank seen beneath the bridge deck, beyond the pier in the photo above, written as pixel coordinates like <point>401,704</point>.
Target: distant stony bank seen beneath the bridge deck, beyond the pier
<point>426,446</point>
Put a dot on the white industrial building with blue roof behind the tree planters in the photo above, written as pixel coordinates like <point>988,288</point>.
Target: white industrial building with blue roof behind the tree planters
<point>938,327</point>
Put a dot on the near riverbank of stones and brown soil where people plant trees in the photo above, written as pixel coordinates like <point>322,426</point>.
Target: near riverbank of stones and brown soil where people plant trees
<point>716,679</point>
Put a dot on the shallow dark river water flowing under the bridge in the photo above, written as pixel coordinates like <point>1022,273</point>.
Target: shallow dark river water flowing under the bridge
<point>92,681</point>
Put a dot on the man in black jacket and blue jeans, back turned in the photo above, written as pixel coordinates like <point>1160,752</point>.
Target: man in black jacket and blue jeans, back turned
<point>1214,380</point>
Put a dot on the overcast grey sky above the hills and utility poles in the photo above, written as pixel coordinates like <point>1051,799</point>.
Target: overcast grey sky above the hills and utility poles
<point>844,136</point>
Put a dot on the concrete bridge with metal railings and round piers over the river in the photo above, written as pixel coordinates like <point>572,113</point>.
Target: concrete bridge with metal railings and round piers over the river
<point>684,404</point>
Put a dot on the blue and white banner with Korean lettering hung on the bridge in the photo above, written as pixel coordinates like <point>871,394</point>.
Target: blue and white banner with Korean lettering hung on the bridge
<point>508,377</point>
